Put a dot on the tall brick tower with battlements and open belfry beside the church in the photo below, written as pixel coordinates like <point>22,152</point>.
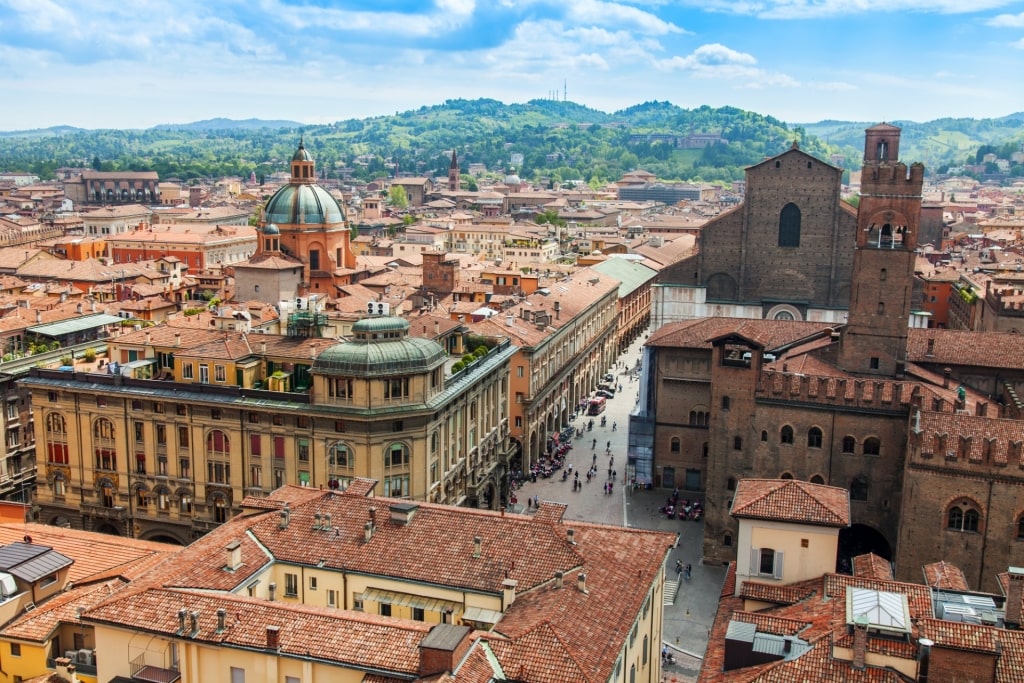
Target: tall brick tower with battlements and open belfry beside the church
<point>874,341</point>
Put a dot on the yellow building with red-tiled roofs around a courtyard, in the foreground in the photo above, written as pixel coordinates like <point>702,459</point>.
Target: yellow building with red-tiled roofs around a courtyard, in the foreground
<point>324,586</point>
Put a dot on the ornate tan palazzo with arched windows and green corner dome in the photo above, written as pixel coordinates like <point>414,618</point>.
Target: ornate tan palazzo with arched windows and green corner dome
<point>166,446</point>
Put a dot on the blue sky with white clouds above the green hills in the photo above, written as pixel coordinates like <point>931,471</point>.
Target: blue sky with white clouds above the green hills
<point>104,64</point>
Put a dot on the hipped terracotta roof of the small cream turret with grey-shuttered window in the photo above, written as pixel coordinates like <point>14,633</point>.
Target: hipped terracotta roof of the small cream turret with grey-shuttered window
<point>792,501</point>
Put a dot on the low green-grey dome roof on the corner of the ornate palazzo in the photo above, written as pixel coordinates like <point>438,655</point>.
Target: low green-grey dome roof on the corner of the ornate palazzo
<point>381,348</point>
